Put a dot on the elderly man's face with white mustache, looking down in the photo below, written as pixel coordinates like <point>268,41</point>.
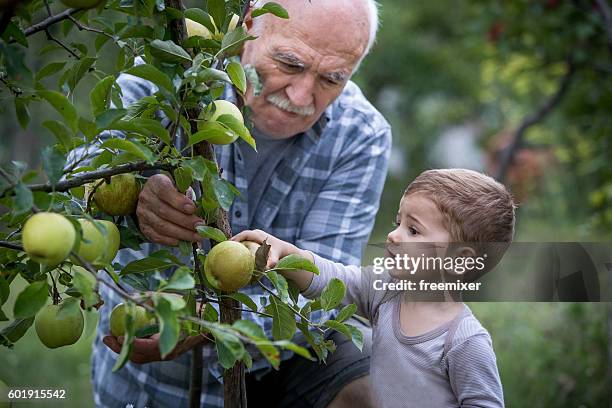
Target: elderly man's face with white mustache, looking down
<point>303,63</point>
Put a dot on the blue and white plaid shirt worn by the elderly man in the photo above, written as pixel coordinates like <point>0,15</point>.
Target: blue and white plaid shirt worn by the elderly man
<point>322,196</point>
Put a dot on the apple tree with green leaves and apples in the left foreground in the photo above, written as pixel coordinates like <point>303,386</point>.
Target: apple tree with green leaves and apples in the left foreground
<point>63,223</point>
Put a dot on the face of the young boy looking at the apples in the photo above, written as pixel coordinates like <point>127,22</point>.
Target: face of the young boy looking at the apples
<point>419,230</point>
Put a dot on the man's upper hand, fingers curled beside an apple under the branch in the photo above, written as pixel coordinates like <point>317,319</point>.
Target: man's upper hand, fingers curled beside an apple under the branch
<point>165,215</point>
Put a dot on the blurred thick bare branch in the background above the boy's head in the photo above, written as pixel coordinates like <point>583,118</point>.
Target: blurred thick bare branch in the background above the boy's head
<point>534,118</point>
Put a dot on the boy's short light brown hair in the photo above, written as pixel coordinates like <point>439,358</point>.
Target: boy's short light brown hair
<point>475,208</point>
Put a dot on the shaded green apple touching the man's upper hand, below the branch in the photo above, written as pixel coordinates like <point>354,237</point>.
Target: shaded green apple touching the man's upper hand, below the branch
<point>120,196</point>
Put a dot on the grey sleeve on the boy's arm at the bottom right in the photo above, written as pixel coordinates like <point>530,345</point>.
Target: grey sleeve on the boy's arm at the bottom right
<point>472,370</point>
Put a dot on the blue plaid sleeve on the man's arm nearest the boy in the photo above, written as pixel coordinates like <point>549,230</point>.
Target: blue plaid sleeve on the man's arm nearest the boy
<point>340,220</point>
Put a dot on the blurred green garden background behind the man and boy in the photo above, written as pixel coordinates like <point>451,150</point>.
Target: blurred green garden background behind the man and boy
<point>458,77</point>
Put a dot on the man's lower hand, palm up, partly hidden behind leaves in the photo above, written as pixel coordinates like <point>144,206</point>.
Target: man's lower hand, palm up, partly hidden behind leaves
<point>146,350</point>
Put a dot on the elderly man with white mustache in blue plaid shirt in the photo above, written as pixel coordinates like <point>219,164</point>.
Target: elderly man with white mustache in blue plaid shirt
<point>316,181</point>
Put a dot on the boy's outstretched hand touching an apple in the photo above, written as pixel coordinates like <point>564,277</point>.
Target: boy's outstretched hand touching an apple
<point>278,250</point>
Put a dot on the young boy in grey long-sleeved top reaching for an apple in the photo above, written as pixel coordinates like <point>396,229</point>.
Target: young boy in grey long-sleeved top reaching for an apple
<point>425,353</point>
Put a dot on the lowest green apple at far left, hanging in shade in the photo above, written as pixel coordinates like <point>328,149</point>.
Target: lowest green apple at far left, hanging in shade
<point>60,325</point>
